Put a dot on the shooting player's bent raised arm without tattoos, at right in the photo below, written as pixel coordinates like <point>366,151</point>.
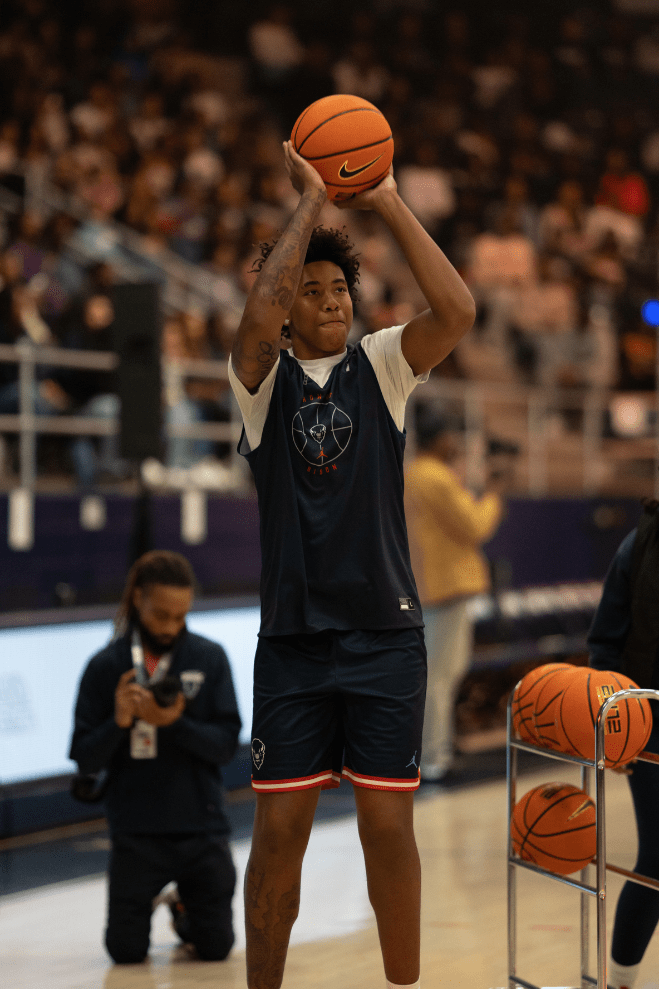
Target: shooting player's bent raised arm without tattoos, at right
<point>429,337</point>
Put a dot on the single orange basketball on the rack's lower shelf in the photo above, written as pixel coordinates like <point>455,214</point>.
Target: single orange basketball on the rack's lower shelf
<point>553,826</point>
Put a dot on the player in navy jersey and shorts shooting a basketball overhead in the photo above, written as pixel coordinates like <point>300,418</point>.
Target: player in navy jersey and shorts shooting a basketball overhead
<point>340,668</point>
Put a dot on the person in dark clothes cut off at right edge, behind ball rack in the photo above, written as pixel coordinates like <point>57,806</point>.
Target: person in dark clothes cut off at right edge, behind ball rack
<point>624,637</point>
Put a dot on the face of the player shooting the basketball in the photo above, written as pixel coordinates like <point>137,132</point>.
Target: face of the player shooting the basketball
<point>321,315</point>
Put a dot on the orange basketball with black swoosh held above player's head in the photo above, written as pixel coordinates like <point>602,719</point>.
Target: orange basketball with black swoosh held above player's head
<point>347,140</point>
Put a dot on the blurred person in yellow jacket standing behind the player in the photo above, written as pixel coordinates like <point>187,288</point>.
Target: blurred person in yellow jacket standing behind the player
<point>447,526</point>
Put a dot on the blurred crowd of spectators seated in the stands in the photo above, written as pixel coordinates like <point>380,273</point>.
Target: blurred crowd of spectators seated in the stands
<point>142,139</point>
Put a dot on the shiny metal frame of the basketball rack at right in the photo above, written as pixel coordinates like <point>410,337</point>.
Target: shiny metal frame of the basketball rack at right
<point>599,889</point>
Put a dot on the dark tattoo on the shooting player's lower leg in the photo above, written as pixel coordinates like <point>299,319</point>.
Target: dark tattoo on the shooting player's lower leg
<point>268,922</point>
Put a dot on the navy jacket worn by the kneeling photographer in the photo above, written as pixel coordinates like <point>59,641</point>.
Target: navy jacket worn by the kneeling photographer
<point>180,791</point>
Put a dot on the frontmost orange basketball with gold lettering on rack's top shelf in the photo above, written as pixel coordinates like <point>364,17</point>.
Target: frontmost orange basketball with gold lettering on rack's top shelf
<point>628,723</point>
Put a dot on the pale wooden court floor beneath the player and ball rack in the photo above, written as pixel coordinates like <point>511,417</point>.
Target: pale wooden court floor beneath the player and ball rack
<point>51,937</point>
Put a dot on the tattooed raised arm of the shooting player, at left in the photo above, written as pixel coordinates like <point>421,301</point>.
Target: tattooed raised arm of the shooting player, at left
<point>256,347</point>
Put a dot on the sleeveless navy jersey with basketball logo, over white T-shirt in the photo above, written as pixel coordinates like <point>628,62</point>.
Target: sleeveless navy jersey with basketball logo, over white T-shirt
<point>329,478</point>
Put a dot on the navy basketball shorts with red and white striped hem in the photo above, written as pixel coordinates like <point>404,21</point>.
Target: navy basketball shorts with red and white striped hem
<point>339,703</point>
